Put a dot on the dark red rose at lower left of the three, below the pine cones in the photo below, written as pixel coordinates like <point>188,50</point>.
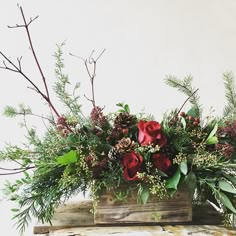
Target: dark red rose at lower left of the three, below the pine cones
<point>132,164</point>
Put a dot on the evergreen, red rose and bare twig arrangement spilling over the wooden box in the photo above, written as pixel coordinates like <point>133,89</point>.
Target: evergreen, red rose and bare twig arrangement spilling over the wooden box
<point>104,151</point>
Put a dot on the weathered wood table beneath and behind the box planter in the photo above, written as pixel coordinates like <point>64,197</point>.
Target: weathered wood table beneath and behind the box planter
<point>76,219</point>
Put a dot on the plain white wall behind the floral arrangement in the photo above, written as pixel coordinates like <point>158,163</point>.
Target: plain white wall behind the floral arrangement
<point>144,41</point>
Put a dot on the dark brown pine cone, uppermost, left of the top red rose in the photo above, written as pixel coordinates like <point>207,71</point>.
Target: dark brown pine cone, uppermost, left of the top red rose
<point>124,120</point>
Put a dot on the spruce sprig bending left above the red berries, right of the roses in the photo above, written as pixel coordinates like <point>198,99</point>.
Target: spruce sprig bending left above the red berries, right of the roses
<point>185,86</point>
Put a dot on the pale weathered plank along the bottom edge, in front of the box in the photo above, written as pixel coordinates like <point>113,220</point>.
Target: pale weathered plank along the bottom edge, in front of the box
<point>169,230</point>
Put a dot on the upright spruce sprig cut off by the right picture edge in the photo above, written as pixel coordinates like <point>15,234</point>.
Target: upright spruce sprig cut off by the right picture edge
<point>230,94</point>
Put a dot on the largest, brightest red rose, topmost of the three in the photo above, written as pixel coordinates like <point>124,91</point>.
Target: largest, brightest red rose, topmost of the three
<point>150,133</point>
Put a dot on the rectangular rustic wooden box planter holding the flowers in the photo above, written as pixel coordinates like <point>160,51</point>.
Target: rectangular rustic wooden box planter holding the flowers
<point>175,210</point>
